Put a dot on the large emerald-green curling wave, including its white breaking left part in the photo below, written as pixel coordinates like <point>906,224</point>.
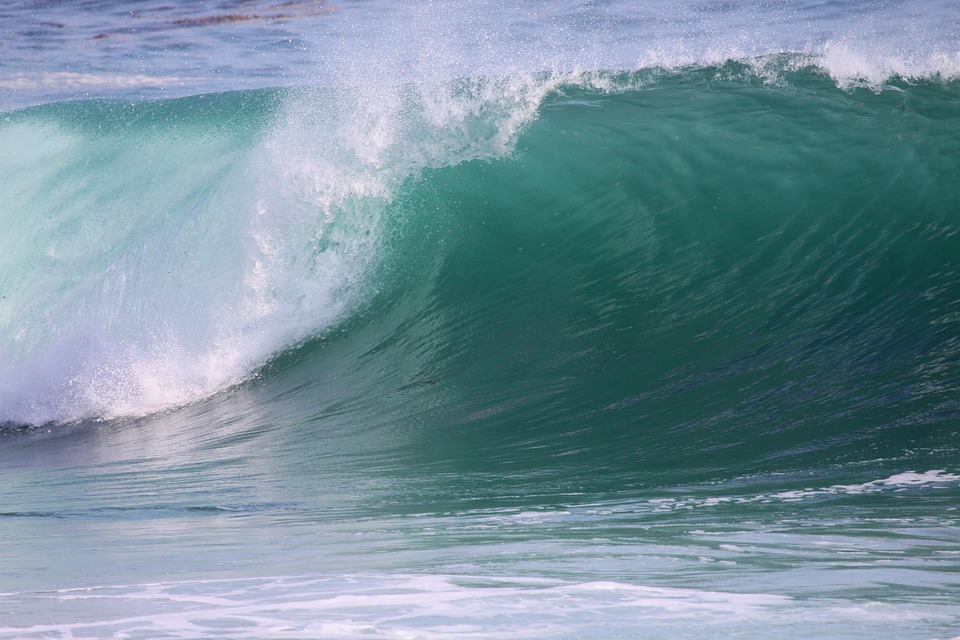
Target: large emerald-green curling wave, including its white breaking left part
<point>164,251</point>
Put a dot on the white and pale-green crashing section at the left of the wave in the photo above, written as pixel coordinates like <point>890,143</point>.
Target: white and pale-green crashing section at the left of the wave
<point>229,242</point>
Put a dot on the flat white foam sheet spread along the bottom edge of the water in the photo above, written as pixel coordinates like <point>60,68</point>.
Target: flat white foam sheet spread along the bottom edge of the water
<point>430,606</point>
